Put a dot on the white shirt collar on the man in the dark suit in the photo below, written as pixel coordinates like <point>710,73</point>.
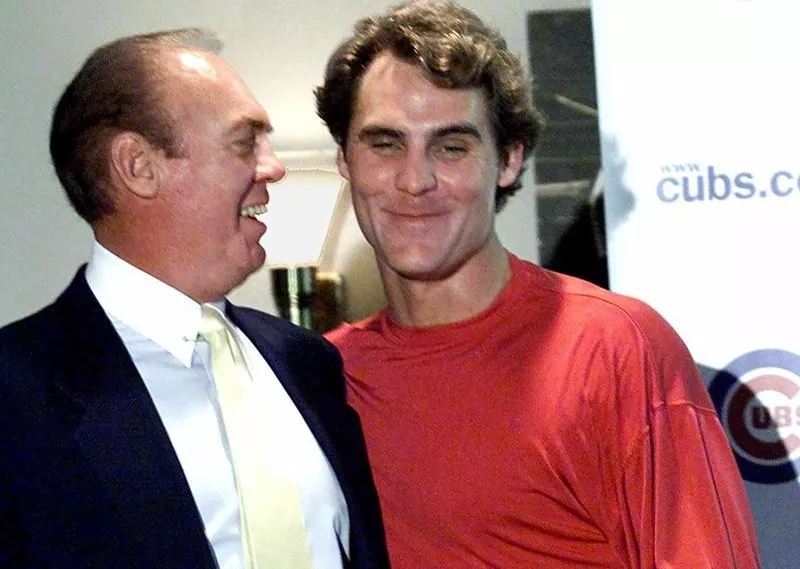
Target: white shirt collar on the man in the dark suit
<point>147,305</point>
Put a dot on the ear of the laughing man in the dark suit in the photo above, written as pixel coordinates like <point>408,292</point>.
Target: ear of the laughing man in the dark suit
<point>135,164</point>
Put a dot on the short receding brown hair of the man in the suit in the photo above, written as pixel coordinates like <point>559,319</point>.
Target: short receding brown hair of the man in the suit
<point>118,88</point>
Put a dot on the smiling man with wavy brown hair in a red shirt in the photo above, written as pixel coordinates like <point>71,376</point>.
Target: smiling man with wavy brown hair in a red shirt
<point>515,417</point>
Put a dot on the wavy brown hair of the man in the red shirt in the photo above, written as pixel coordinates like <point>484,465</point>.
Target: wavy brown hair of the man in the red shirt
<point>456,50</point>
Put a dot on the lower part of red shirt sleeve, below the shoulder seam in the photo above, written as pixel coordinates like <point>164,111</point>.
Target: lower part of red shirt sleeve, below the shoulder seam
<point>685,500</point>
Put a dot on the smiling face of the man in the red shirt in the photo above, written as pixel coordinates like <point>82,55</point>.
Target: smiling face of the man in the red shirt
<point>423,166</point>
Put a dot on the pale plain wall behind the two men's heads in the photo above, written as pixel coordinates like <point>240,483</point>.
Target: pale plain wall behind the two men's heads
<point>279,47</point>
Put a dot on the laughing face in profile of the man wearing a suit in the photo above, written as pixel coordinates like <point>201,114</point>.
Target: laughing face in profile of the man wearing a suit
<point>218,184</point>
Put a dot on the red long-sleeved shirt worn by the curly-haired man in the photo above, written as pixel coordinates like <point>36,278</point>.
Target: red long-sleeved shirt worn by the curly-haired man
<point>565,426</point>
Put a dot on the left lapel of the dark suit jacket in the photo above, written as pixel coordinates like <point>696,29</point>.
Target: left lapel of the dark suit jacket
<point>122,437</point>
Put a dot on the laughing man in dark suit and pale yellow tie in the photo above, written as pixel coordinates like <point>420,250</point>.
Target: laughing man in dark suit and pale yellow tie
<point>144,421</point>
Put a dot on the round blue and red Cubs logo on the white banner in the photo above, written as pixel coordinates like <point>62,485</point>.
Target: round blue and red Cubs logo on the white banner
<point>757,397</point>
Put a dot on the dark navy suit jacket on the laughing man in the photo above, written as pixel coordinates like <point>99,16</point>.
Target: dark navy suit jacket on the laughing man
<point>88,476</point>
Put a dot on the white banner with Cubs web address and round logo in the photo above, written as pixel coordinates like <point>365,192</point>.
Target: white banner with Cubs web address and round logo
<point>700,120</point>
